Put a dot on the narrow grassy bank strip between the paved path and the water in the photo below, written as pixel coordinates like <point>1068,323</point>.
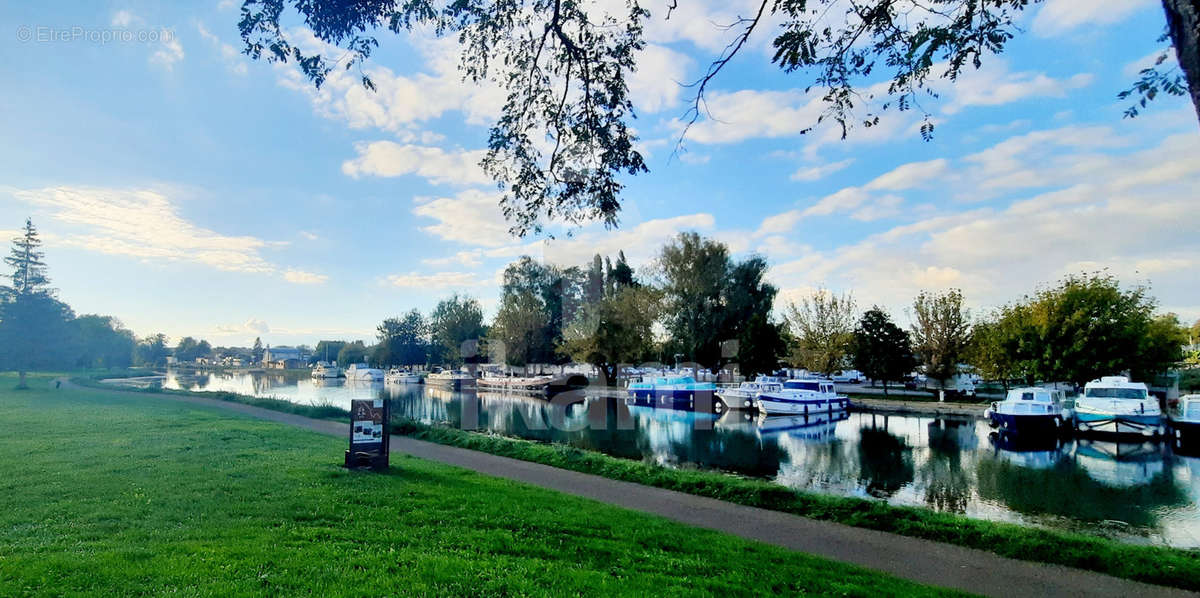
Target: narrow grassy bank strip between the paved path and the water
<point>1154,565</point>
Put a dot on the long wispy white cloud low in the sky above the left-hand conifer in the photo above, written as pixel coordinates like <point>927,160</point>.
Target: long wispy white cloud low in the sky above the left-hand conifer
<point>146,225</point>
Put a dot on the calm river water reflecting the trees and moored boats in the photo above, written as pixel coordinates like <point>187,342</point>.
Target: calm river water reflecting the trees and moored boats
<point>1137,492</point>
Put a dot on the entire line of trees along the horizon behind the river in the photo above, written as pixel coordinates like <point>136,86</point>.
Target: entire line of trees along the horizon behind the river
<point>694,304</point>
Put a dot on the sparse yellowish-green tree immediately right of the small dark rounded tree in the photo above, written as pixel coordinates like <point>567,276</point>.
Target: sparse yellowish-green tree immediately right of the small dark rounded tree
<point>941,332</point>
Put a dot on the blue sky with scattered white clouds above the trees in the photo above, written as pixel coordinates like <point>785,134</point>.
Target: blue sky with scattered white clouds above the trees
<point>190,190</point>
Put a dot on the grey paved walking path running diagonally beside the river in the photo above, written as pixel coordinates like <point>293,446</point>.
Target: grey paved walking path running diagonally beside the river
<point>917,560</point>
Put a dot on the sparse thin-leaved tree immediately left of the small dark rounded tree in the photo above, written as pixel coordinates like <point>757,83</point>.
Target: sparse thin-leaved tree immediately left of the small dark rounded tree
<point>823,326</point>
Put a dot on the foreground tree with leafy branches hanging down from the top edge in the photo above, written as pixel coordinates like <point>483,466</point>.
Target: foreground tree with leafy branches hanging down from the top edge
<point>565,67</point>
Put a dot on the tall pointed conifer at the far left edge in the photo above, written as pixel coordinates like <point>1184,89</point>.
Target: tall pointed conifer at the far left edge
<point>34,325</point>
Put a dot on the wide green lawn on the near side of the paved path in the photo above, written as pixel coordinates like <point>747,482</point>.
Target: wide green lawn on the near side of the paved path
<point>118,494</point>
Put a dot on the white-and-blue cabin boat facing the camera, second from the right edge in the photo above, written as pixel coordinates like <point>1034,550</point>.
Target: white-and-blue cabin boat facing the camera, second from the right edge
<point>1115,405</point>
